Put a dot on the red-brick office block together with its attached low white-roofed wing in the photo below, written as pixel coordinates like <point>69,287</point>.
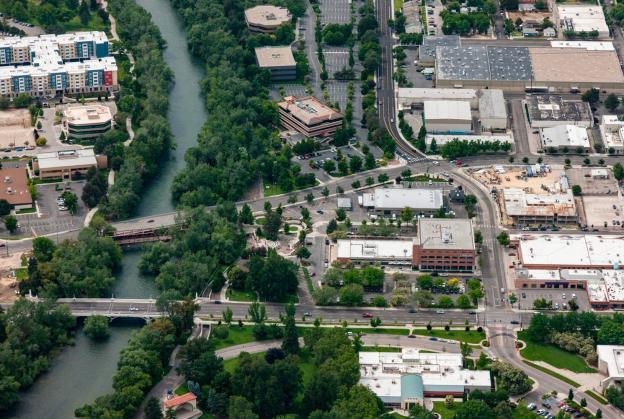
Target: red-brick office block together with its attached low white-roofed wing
<point>442,244</point>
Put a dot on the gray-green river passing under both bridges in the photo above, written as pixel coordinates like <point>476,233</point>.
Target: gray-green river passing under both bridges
<point>83,372</point>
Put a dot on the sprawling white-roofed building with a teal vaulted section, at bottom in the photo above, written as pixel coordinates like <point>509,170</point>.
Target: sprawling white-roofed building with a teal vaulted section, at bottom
<point>404,379</point>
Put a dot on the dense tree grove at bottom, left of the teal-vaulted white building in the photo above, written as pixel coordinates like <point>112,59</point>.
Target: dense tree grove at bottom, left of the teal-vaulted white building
<point>270,386</point>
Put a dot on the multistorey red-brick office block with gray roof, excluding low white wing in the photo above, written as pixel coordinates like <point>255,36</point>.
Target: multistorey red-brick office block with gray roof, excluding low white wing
<point>444,244</point>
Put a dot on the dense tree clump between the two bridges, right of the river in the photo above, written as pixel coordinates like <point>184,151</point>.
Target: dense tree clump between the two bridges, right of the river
<point>203,243</point>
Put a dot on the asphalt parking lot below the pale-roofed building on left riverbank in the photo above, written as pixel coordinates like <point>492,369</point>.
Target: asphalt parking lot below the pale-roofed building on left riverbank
<point>51,219</point>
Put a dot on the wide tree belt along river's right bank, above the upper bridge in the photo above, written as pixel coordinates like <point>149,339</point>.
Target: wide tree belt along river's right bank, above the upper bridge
<point>238,140</point>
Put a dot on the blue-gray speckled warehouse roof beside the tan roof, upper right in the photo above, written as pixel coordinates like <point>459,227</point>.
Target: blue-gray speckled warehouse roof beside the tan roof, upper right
<point>483,63</point>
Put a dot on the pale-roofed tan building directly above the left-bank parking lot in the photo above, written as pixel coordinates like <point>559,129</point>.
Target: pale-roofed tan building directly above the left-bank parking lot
<point>67,164</point>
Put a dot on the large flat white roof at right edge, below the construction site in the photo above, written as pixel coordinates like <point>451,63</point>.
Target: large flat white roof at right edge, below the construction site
<point>574,250</point>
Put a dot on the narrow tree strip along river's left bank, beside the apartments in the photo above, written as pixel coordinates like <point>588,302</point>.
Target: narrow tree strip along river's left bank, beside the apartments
<point>146,100</point>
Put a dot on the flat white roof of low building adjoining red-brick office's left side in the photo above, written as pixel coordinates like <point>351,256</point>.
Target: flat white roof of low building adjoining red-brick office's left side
<point>375,249</point>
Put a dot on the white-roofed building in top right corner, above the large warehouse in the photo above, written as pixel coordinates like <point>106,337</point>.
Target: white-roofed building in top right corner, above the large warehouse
<point>581,18</point>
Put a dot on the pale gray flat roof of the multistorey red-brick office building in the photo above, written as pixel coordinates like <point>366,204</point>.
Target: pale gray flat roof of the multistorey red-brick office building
<point>445,233</point>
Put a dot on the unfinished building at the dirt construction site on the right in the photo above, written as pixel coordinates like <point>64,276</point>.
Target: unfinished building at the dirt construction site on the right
<point>527,208</point>
